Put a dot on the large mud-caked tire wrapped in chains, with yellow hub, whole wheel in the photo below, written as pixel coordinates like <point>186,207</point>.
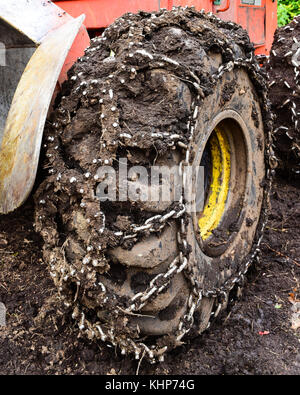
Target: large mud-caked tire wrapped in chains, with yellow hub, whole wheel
<point>177,89</point>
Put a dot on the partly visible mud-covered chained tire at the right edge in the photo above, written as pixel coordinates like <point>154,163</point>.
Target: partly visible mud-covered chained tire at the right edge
<point>284,84</point>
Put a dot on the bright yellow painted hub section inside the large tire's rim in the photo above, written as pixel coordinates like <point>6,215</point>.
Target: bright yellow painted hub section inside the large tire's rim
<point>220,178</point>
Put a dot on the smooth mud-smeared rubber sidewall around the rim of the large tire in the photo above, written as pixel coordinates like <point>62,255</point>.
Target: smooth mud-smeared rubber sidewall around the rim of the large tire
<point>241,106</point>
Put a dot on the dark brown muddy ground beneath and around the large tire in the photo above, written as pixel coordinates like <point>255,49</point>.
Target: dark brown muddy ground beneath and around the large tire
<point>257,336</point>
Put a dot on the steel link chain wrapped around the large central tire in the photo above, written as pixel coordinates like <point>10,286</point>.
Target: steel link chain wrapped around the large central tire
<point>156,223</point>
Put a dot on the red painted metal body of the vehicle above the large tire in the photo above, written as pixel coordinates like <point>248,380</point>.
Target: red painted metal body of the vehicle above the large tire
<point>259,18</point>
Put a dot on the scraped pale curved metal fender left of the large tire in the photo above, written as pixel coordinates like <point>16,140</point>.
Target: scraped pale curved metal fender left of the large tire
<point>20,139</point>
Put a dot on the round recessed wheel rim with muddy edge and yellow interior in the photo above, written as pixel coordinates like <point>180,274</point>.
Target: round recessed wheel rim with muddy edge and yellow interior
<point>227,184</point>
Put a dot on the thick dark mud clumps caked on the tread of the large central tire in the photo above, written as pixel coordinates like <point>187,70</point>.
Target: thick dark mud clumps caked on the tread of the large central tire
<point>121,100</point>
